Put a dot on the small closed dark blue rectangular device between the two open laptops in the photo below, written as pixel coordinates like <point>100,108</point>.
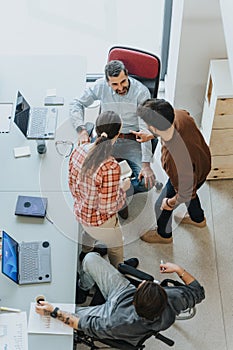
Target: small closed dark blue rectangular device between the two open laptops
<point>31,206</point>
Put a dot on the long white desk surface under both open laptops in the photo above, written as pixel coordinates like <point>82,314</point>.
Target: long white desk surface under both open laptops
<point>44,175</point>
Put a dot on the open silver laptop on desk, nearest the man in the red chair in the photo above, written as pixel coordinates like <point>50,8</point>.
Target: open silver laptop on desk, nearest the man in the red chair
<point>38,123</point>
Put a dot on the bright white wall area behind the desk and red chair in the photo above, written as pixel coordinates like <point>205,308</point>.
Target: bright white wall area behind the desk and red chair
<point>87,28</point>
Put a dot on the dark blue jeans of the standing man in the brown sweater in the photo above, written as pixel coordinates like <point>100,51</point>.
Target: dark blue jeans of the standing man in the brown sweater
<point>164,217</point>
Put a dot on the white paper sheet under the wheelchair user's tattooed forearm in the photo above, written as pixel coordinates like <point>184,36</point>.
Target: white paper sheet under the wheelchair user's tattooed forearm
<point>47,324</point>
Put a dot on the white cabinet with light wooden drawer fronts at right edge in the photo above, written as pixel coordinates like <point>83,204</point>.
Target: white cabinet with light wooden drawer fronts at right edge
<point>217,119</point>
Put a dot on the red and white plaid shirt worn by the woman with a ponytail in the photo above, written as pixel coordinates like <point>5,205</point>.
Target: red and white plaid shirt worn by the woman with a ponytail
<point>98,197</point>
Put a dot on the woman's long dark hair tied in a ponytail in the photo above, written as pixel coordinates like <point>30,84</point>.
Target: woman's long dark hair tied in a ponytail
<point>108,125</point>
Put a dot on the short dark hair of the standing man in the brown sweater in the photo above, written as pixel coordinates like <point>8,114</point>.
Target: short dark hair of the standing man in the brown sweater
<point>157,113</point>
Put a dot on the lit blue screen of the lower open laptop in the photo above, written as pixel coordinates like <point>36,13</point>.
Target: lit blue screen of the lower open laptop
<point>9,257</point>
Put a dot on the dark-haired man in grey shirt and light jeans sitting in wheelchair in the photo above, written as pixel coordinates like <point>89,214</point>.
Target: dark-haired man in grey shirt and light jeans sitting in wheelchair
<point>129,313</point>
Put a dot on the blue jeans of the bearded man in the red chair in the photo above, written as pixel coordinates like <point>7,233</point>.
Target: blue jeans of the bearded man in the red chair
<point>130,150</point>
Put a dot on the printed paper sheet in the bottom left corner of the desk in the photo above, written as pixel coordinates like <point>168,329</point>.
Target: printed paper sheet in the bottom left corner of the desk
<point>13,331</point>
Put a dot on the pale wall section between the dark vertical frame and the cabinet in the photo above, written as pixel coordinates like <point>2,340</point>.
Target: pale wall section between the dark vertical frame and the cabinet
<point>197,36</point>
